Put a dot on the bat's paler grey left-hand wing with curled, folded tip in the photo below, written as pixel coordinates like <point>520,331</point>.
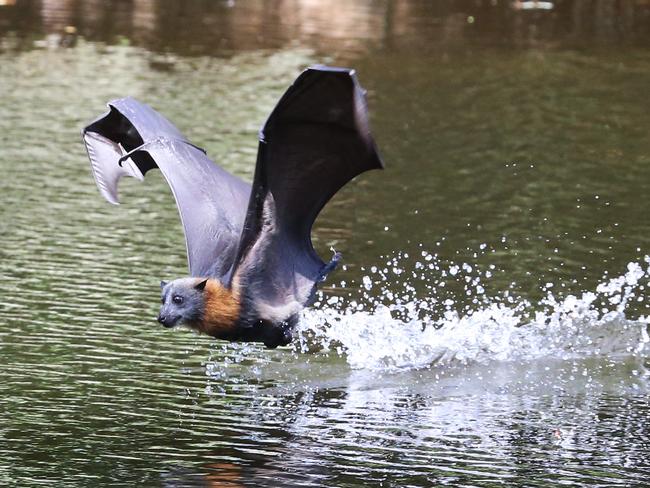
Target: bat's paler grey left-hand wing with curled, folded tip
<point>131,139</point>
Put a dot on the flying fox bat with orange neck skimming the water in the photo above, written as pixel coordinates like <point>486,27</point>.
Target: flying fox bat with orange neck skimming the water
<point>251,259</point>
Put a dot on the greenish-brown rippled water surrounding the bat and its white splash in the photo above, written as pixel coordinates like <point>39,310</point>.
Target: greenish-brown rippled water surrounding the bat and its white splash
<point>515,140</point>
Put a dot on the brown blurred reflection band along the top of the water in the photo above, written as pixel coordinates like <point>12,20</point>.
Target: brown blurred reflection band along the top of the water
<point>343,29</point>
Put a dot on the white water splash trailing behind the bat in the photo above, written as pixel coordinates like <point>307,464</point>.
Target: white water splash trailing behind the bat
<point>391,331</point>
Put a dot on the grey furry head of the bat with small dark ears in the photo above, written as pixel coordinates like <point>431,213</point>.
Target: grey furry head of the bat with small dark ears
<point>182,301</point>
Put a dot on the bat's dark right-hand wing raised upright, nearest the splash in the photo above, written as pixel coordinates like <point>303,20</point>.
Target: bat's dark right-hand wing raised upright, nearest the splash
<point>316,140</point>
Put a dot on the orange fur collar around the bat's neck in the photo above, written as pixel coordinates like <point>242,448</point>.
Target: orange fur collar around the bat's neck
<point>221,312</point>
